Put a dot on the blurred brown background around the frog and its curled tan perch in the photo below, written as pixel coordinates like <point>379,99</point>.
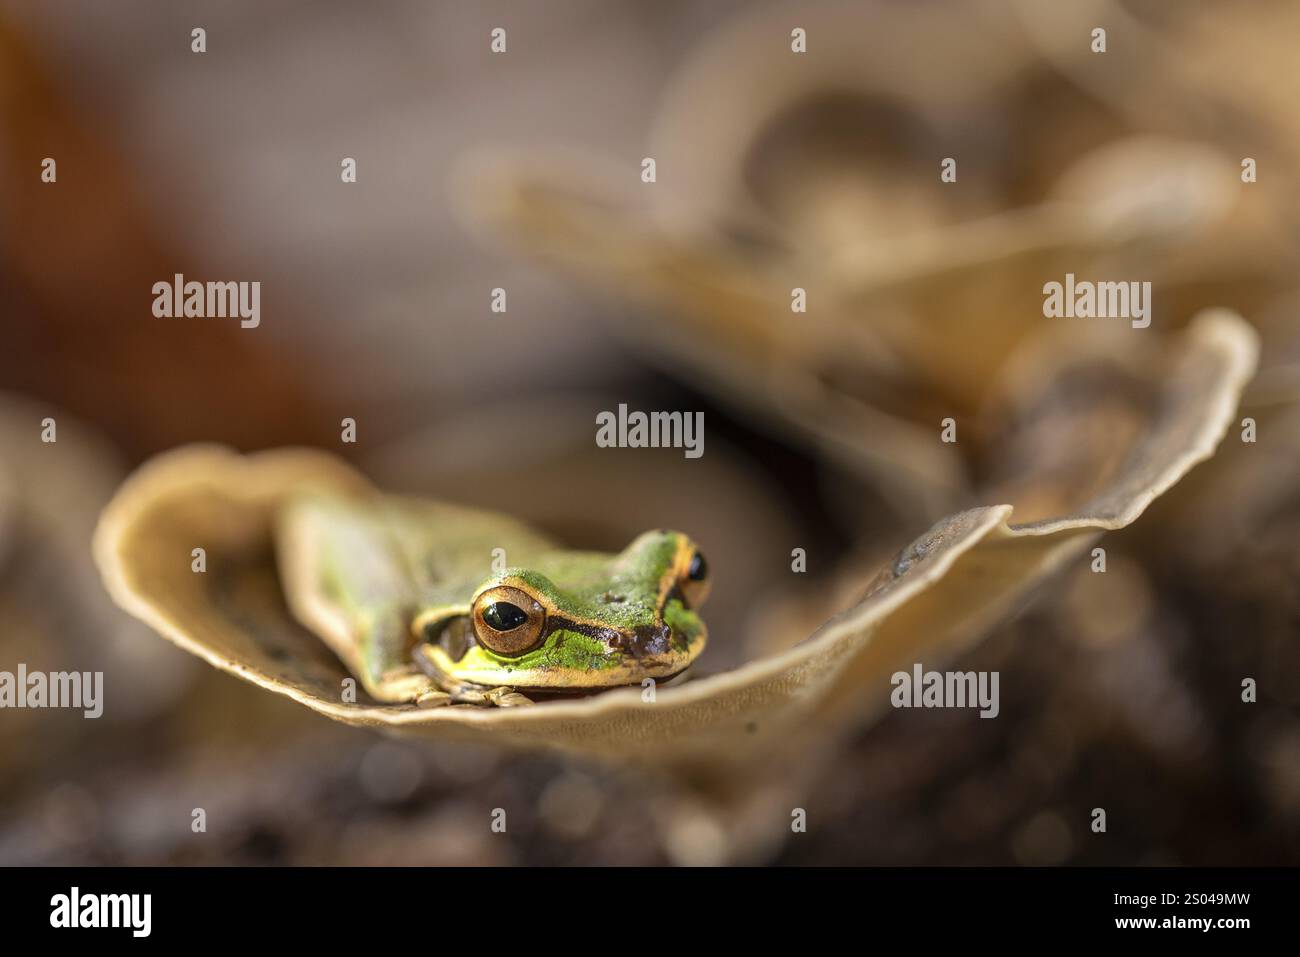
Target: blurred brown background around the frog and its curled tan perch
<point>1119,691</point>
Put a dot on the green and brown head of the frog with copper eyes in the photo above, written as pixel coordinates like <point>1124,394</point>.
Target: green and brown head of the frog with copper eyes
<point>577,621</point>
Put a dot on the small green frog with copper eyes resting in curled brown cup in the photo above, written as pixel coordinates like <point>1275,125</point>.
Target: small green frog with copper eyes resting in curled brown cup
<point>430,604</point>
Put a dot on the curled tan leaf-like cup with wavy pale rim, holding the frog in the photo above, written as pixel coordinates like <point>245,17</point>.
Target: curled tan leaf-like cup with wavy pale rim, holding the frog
<point>935,599</point>
